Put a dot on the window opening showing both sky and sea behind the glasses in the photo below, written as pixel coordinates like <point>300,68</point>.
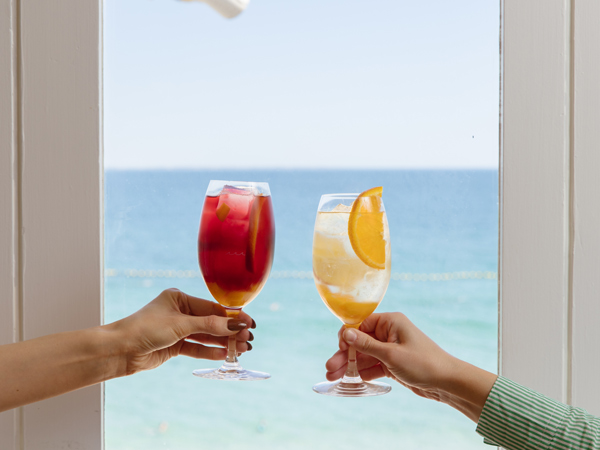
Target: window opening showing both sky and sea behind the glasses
<point>313,98</point>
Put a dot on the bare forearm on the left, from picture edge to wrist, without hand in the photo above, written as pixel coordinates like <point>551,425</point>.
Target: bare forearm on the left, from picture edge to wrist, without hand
<point>40,368</point>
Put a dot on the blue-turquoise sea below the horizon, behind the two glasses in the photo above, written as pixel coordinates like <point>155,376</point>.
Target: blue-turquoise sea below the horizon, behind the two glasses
<point>444,239</point>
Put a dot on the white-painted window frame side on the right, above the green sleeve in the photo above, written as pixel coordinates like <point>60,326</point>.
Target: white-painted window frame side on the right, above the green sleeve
<point>550,198</point>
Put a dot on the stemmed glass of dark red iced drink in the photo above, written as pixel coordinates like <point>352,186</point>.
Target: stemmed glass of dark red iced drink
<point>235,252</point>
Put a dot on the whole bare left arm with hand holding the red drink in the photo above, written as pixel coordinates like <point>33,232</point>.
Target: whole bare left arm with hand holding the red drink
<point>172,324</point>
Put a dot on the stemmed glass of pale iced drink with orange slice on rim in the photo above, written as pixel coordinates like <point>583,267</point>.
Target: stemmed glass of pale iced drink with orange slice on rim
<point>350,285</point>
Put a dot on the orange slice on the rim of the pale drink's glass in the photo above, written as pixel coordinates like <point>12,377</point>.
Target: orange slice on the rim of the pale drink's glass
<point>365,228</point>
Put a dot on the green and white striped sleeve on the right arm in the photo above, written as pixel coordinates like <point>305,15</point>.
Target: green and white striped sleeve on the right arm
<point>515,417</point>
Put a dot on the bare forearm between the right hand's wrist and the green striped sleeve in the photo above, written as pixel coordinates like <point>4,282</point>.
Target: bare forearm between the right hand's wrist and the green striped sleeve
<point>466,388</point>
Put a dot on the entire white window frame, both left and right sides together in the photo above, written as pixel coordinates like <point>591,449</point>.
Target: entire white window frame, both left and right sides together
<point>51,175</point>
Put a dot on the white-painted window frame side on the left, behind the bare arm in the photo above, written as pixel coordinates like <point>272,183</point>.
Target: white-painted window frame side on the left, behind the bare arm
<point>51,266</point>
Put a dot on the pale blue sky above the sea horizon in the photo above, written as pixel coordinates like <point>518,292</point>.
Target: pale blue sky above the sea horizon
<point>301,84</point>
